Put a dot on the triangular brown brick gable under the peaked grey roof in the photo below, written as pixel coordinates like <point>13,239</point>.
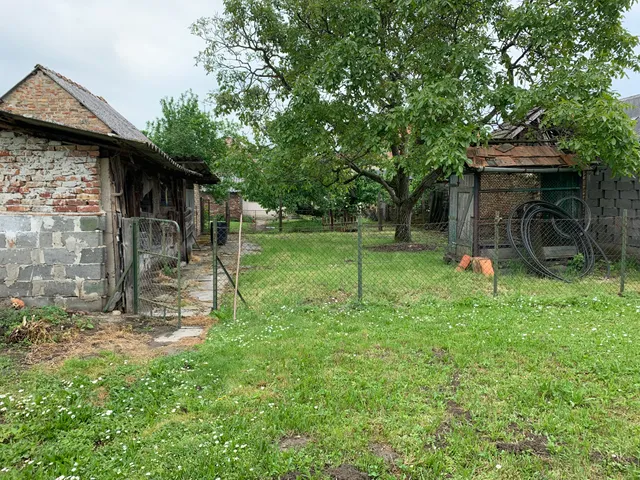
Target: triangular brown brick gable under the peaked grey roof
<point>42,98</point>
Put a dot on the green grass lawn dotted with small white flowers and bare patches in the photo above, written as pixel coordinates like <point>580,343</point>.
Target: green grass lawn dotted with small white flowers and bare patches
<point>418,382</point>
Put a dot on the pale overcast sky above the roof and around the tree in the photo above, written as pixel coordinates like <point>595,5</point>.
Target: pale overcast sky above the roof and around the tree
<point>131,52</point>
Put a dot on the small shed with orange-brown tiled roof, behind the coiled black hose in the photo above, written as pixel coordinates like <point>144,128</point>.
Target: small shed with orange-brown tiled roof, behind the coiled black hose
<point>497,179</point>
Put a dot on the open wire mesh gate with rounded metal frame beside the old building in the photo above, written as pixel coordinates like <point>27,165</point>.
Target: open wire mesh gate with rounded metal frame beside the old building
<point>158,250</point>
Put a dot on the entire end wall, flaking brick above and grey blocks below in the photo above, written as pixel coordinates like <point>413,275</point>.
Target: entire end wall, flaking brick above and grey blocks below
<point>52,248</point>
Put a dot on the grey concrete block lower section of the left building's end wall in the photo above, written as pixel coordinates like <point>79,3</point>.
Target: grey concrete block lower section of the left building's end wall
<point>53,260</point>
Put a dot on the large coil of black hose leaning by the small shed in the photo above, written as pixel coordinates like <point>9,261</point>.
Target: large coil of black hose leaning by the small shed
<point>527,214</point>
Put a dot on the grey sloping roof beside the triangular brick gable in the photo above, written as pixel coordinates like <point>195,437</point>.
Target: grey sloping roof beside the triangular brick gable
<point>98,106</point>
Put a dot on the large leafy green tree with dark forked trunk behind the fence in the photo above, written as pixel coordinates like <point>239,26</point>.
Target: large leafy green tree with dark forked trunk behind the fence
<point>395,91</point>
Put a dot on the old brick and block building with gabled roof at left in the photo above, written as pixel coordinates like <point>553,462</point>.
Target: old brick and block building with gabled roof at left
<point>72,169</point>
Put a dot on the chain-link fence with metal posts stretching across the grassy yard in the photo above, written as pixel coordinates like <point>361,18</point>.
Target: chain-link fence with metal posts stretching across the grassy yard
<point>540,254</point>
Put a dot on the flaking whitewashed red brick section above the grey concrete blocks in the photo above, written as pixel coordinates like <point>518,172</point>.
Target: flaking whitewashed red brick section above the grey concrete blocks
<point>47,176</point>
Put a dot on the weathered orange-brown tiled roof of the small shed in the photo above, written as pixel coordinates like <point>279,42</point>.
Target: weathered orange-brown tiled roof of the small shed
<point>519,156</point>
